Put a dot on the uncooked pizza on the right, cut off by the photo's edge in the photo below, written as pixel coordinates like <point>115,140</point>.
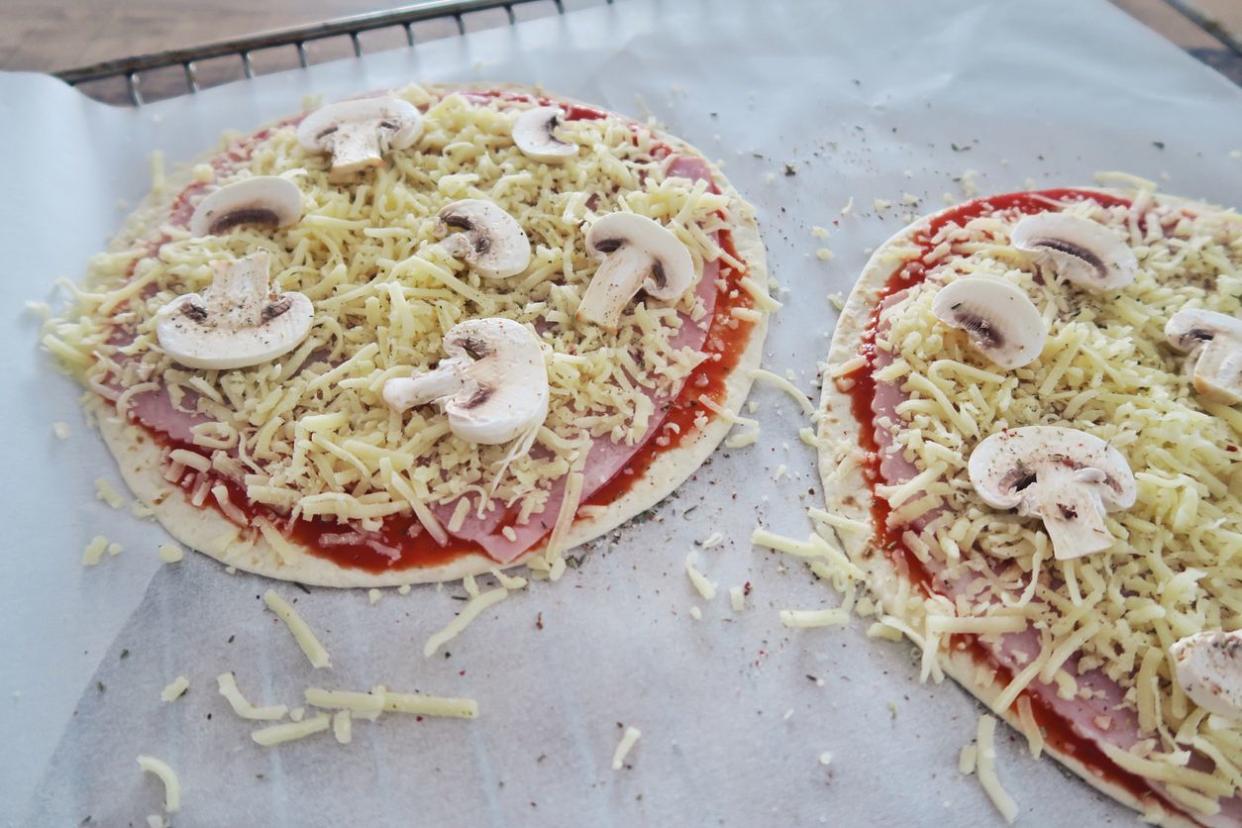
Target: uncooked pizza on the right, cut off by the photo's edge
<point>1079,636</point>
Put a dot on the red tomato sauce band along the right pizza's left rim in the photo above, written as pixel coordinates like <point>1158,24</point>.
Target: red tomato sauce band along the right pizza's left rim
<point>863,395</point>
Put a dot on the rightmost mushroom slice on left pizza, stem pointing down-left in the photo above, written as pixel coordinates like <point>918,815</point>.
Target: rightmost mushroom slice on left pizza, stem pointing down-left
<point>639,254</point>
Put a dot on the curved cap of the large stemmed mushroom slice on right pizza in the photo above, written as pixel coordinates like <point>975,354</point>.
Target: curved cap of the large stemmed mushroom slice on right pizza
<point>1007,464</point>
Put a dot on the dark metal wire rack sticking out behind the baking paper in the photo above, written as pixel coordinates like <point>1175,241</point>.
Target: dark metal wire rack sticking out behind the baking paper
<point>459,14</point>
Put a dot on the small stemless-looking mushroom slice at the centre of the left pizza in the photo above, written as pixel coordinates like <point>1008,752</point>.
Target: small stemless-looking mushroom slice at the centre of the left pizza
<point>486,238</point>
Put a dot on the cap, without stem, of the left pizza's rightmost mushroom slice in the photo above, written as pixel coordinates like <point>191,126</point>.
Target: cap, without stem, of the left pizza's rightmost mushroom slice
<point>671,270</point>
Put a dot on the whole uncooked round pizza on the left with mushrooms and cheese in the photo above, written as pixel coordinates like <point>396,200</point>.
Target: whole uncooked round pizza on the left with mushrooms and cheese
<point>300,466</point>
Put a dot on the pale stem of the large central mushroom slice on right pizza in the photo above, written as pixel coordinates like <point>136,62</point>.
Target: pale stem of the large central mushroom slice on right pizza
<point>1074,513</point>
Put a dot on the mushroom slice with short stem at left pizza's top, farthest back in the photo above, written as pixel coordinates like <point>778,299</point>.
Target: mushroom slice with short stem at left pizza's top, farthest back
<point>358,133</point>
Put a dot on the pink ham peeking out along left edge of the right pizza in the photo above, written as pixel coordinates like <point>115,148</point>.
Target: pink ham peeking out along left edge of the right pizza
<point>1100,719</point>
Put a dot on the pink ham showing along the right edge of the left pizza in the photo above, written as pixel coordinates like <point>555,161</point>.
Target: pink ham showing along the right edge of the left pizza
<point>607,459</point>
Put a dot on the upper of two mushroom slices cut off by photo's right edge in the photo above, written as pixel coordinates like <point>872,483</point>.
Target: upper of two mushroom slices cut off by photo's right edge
<point>1215,342</point>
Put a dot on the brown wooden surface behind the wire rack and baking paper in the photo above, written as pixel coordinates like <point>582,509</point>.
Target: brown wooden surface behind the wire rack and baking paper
<point>52,35</point>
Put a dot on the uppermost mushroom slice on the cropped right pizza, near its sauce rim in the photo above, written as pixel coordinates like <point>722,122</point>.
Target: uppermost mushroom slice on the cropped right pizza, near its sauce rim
<point>1079,250</point>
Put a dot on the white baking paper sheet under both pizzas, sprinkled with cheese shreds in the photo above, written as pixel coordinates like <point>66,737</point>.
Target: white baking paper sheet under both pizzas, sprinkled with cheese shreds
<point>861,101</point>
